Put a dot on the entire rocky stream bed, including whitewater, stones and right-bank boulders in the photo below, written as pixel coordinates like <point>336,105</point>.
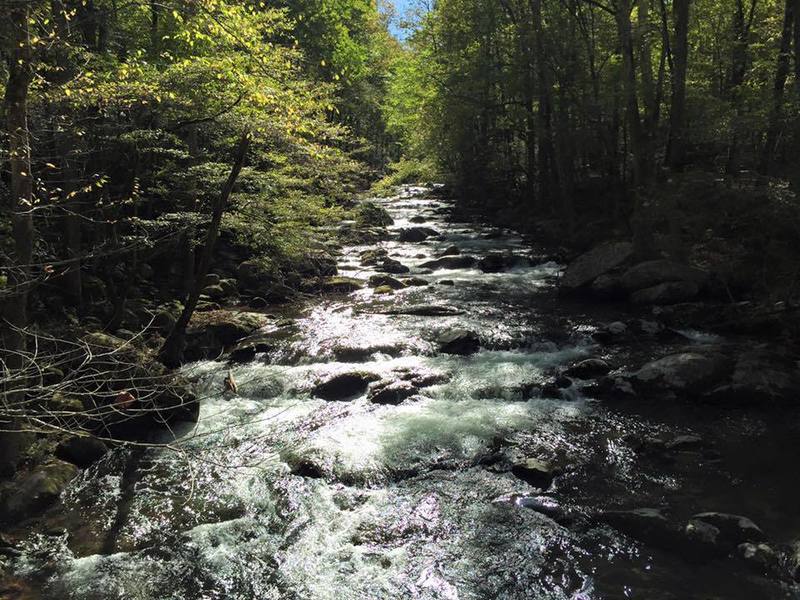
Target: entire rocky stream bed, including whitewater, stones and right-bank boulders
<point>444,424</point>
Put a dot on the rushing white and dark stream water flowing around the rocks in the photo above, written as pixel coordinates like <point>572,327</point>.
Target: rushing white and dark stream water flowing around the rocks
<point>277,494</point>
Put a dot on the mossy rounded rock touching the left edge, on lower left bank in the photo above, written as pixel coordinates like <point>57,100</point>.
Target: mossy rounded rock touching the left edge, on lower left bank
<point>36,491</point>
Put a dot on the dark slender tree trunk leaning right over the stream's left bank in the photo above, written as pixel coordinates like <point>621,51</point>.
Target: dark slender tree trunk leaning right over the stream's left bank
<point>173,348</point>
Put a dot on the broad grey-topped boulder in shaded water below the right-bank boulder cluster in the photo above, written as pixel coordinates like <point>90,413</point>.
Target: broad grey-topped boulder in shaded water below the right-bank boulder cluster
<point>688,373</point>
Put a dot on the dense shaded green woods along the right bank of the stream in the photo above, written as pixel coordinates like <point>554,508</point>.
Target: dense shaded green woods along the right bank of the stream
<point>588,110</point>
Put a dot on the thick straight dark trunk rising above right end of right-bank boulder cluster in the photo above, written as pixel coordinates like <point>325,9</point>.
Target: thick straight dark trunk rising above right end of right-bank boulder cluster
<point>676,146</point>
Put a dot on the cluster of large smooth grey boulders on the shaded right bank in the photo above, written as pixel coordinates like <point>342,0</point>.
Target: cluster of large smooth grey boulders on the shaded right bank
<point>607,272</point>
